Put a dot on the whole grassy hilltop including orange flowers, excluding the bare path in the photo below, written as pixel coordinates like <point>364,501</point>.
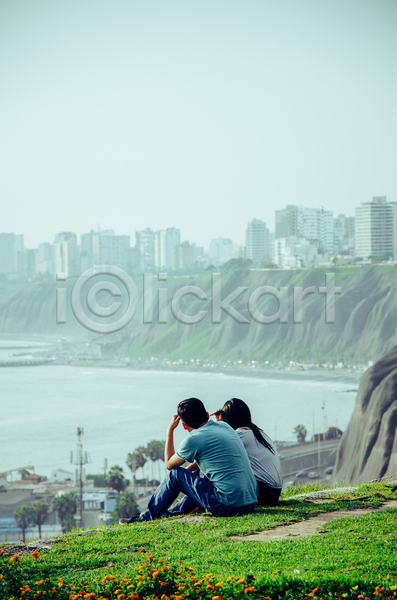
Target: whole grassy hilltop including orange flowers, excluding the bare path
<point>354,558</point>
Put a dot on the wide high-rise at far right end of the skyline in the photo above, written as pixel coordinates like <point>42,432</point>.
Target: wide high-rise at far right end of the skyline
<point>376,228</point>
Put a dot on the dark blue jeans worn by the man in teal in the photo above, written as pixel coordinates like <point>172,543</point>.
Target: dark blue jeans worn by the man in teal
<point>199,492</point>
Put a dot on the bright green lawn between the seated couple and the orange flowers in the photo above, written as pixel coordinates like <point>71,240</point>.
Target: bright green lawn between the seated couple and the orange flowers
<point>352,550</point>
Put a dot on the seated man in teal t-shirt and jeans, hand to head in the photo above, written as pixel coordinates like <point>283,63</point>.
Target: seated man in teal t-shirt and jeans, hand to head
<point>229,486</point>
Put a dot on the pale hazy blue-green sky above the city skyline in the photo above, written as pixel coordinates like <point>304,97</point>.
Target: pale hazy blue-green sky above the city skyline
<point>196,114</point>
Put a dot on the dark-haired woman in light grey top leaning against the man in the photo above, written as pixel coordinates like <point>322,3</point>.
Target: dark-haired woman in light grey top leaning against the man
<point>261,451</point>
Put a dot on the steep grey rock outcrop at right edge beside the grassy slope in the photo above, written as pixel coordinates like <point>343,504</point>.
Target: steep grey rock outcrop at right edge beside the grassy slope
<point>368,449</point>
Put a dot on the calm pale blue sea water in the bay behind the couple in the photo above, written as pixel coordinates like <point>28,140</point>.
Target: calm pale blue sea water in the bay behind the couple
<point>119,409</point>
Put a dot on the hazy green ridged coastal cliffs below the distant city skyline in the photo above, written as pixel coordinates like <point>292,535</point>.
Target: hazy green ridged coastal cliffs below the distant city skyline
<point>364,327</point>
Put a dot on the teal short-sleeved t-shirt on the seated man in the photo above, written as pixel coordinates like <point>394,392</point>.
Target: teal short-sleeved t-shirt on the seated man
<point>221,456</point>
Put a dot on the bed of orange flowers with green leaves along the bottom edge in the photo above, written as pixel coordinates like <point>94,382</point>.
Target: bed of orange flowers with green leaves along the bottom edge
<point>156,579</point>
